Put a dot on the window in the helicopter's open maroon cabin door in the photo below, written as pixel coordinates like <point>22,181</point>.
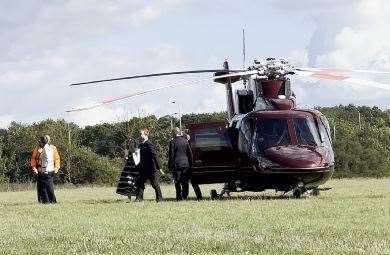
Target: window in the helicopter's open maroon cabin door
<point>210,137</point>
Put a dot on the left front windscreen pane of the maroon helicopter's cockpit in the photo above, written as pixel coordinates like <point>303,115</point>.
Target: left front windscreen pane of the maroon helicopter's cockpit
<point>270,133</point>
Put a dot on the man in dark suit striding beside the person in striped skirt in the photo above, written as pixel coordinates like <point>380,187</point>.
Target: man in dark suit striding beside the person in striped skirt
<point>149,167</point>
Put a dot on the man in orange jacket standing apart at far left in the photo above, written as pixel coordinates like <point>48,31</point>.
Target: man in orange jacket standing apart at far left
<point>45,161</point>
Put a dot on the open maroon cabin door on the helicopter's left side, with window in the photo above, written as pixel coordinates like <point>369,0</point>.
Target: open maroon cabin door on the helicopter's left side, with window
<point>215,160</point>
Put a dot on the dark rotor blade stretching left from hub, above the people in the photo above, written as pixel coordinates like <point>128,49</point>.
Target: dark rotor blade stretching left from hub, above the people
<point>154,75</point>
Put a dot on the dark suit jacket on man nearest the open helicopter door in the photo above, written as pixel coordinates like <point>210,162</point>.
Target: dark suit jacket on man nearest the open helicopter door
<point>180,154</point>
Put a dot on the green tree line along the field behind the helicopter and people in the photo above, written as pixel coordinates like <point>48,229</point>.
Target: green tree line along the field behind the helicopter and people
<point>94,154</point>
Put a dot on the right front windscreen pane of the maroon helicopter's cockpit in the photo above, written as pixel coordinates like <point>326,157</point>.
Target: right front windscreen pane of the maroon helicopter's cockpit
<point>306,131</point>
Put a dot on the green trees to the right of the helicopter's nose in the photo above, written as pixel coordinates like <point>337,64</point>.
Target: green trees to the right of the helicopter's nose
<point>360,150</point>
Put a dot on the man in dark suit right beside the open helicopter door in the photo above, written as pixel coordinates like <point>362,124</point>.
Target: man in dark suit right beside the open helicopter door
<point>180,161</point>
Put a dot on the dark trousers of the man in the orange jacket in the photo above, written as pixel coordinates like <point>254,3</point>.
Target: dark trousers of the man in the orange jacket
<point>45,188</point>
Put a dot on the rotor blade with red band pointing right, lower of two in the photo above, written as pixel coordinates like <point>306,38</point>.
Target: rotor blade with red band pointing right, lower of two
<point>332,75</point>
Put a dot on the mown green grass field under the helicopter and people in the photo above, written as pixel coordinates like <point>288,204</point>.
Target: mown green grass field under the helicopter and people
<point>352,218</point>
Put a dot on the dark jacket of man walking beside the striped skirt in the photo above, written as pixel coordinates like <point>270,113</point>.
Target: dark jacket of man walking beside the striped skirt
<point>149,162</point>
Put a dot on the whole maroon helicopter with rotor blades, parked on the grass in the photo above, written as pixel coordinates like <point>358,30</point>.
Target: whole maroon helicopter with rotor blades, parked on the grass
<point>267,142</point>
